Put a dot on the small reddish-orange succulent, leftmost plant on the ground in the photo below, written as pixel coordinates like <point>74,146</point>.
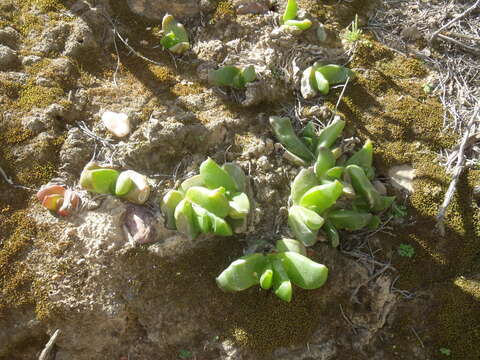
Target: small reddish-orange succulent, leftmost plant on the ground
<point>58,199</point>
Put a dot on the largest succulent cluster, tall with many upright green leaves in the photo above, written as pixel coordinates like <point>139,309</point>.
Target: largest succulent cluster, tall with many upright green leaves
<point>336,192</point>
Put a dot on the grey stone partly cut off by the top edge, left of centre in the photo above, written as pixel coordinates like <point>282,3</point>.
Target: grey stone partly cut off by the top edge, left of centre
<point>156,9</point>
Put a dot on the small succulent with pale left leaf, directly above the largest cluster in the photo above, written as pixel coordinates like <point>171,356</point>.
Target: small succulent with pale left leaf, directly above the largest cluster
<point>318,78</point>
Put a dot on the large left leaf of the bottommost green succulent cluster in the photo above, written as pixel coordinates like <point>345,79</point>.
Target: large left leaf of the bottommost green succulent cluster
<point>242,273</point>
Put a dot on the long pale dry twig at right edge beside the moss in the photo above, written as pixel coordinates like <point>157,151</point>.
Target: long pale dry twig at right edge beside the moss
<point>456,176</point>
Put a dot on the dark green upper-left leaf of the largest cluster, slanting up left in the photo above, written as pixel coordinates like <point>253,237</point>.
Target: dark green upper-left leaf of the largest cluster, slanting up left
<point>283,130</point>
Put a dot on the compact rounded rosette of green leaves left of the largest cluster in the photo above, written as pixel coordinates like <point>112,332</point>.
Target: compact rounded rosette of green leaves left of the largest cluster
<point>215,201</point>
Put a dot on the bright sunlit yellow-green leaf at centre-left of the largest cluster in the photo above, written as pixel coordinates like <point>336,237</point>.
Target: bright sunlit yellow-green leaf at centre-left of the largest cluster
<point>322,197</point>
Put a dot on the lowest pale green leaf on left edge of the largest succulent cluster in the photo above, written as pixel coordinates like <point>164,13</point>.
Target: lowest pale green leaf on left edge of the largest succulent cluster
<point>304,224</point>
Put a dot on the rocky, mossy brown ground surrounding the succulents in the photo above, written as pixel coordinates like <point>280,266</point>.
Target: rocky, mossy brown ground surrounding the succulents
<point>64,63</point>
